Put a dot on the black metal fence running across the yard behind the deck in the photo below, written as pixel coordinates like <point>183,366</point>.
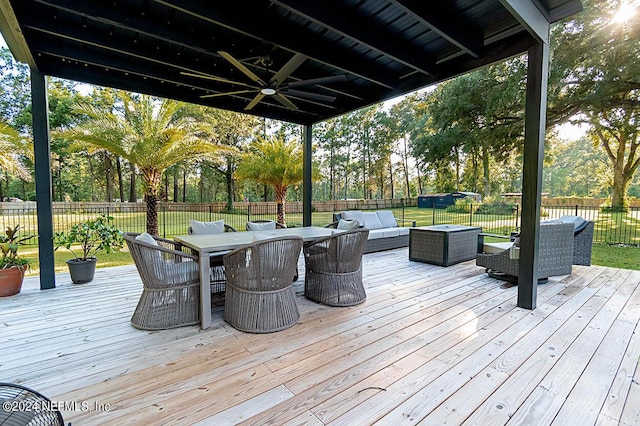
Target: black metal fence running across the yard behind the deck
<point>173,218</point>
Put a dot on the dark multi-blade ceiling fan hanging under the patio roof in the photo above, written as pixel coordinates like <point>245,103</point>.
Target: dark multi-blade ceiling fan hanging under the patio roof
<point>274,86</point>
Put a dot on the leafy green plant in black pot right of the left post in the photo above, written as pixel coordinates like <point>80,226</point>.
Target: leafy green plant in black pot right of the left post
<point>92,236</point>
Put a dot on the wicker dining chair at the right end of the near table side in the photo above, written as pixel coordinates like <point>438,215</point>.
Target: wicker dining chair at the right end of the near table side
<point>333,268</point>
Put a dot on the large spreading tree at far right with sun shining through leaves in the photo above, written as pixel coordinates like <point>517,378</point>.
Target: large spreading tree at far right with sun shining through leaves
<point>595,79</point>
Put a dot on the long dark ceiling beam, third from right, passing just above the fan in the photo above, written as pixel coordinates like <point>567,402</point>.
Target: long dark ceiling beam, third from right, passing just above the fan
<point>230,15</point>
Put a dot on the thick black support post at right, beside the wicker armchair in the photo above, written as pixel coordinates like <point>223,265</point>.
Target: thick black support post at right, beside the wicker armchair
<point>535,118</point>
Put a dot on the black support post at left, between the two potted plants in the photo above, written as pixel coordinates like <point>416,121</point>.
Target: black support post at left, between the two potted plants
<point>42,165</point>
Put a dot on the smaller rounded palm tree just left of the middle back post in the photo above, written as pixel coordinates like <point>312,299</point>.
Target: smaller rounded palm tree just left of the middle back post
<point>273,162</point>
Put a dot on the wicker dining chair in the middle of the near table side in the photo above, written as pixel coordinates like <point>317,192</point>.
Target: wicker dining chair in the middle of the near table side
<point>259,296</point>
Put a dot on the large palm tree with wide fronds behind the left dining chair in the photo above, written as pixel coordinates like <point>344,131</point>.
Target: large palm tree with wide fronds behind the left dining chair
<point>149,133</point>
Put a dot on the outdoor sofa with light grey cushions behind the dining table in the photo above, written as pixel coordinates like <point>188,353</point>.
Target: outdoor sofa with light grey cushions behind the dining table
<point>384,232</point>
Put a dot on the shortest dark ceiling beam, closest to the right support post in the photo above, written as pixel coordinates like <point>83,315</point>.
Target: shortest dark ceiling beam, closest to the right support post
<point>448,24</point>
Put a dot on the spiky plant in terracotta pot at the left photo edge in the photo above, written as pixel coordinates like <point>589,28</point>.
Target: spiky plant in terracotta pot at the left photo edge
<point>12,266</point>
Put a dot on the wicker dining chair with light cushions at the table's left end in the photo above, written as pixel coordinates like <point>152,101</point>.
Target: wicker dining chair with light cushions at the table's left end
<point>170,275</point>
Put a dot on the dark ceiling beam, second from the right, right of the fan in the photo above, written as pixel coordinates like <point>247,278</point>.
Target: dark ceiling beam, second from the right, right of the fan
<point>340,20</point>
